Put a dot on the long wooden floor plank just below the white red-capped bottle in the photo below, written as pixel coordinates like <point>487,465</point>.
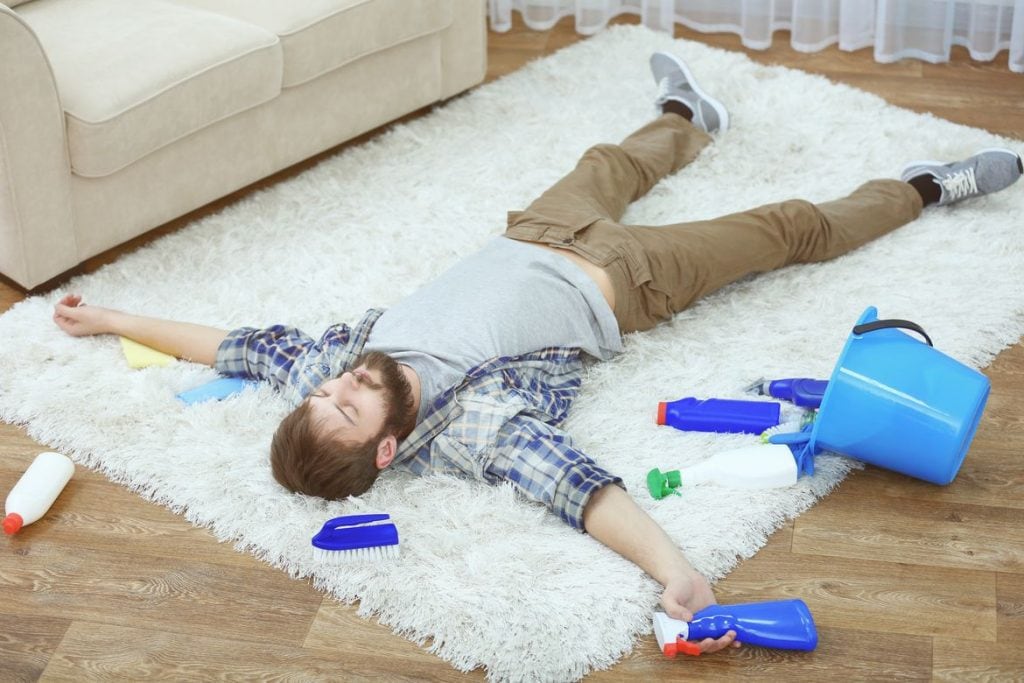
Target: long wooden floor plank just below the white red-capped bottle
<point>40,577</point>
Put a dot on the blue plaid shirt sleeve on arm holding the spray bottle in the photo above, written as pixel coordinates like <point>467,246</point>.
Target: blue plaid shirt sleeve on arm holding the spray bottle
<point>539,459</point>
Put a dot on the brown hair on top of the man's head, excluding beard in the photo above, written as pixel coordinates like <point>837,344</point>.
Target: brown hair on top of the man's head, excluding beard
<point>307,461</point>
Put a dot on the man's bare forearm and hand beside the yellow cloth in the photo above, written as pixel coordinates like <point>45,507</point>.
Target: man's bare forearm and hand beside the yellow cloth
<point>183,340</point>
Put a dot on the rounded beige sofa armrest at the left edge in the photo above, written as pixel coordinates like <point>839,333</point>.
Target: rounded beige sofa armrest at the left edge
<point>37,232</point>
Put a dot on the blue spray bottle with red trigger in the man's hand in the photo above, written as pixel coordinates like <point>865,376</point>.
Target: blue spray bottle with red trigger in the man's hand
<point>783,624</point>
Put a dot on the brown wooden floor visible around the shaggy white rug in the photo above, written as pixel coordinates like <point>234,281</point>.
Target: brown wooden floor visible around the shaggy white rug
<point>906,580</point>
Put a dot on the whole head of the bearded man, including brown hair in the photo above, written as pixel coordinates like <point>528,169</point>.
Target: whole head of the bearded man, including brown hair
<point>336,443</point>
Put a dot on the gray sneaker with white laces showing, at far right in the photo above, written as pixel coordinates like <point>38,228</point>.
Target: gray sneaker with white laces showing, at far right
<point>987,173</point>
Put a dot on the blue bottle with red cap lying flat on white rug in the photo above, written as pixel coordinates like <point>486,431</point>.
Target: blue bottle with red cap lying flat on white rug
<point>719,415</point>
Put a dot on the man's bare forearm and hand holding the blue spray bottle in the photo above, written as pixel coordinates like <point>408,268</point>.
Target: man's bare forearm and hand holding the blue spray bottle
<point>613,518</point>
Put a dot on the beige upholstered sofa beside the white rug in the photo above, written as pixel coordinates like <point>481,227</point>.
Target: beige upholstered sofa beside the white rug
<point>117,116</point>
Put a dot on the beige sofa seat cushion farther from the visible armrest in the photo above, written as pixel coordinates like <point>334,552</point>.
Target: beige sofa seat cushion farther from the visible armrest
<point>321,35</point>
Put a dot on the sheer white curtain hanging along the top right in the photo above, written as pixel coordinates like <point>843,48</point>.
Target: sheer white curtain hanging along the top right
<point>897,29</point>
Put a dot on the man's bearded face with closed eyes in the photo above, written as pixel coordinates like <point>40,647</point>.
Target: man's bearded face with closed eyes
<point>357,406</point>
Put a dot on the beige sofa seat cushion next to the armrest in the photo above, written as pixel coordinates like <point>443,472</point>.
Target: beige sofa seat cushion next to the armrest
<point>137,75</point>
